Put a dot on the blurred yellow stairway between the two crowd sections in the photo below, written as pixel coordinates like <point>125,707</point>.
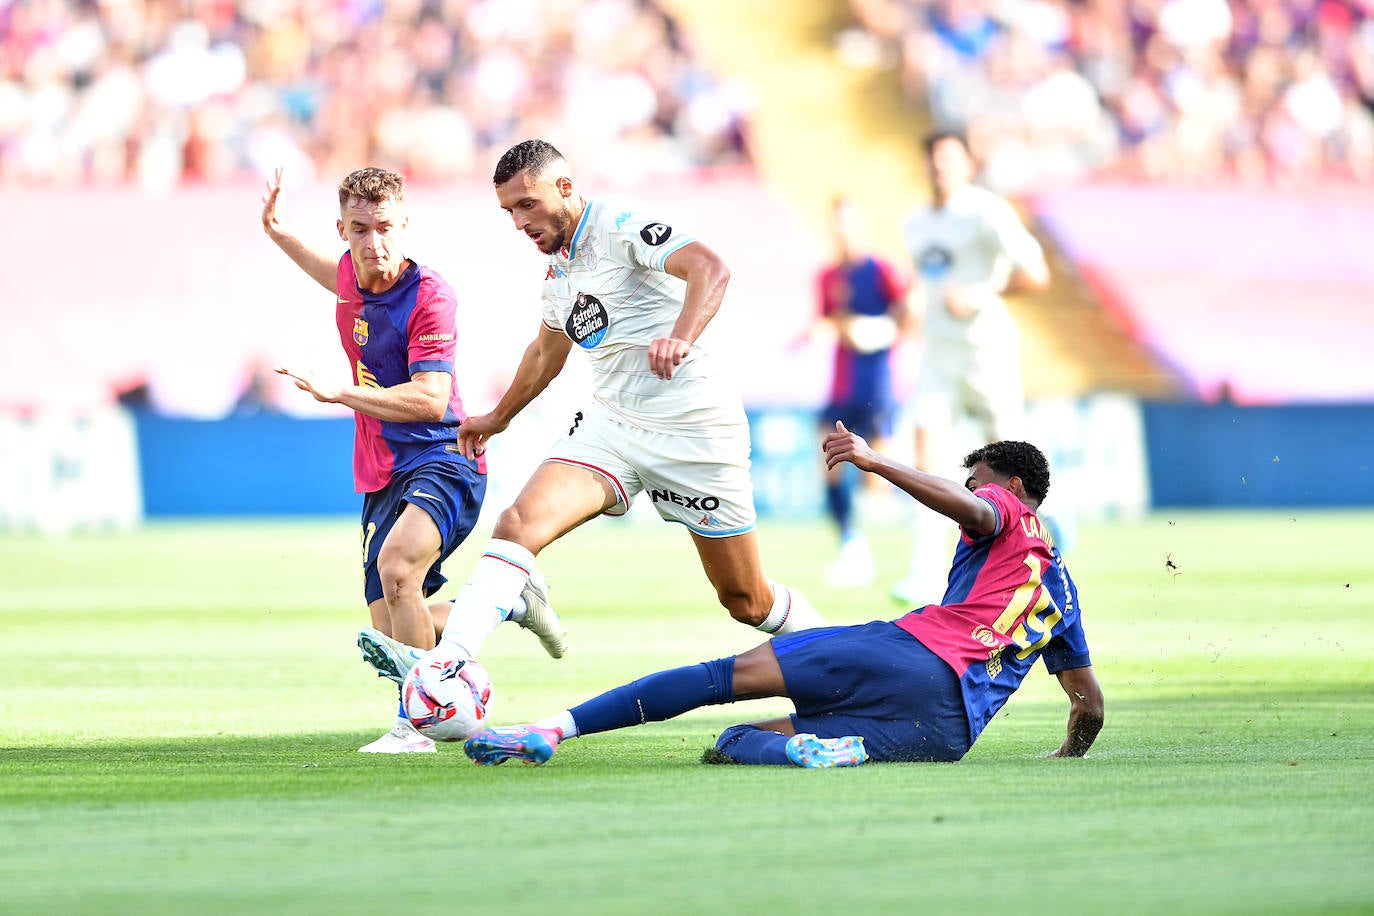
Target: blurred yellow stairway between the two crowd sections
<point>829,116</point>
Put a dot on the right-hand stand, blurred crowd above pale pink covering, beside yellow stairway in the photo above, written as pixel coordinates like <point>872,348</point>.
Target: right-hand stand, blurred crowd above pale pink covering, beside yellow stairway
<point>1138,128</point>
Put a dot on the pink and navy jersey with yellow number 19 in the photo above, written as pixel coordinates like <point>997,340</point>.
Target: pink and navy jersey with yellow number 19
<point>1011,601</point>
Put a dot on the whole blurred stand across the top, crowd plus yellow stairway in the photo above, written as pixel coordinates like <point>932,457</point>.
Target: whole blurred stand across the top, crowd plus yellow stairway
<point>150,95</point>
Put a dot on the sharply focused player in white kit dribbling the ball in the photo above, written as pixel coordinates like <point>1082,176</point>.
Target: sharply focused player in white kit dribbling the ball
<point>634,292</point>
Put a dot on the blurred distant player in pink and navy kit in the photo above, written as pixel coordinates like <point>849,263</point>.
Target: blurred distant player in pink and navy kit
<point>862,301</point>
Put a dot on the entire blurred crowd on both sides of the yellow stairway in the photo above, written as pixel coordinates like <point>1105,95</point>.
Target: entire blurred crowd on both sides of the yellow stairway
<point>163,93</point>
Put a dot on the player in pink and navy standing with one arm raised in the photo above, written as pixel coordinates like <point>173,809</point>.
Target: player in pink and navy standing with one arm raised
<point>398,323</point>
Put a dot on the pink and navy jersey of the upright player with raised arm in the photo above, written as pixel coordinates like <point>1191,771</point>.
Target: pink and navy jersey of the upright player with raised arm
<point>388,339</point>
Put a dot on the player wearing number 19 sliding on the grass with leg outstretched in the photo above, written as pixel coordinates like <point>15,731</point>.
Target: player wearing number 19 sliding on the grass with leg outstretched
<point>919,689</point>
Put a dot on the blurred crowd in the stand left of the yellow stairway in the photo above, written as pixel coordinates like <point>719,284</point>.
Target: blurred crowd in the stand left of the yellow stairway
<point>166,93</point>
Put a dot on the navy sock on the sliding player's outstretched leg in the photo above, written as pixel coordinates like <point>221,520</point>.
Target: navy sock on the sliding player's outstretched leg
<point>659,697</point>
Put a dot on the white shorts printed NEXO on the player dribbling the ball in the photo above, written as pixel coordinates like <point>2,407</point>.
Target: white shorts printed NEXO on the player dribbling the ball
<point>700,483</point>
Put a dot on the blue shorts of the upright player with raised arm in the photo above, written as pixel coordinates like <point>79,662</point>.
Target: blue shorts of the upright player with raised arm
<point>449,488</point>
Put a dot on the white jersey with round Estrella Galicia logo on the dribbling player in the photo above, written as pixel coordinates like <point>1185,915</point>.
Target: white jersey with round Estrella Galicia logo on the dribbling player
<point>608,292</point>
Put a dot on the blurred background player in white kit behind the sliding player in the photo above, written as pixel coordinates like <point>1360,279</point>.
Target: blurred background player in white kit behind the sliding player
<point>969,248</point>
